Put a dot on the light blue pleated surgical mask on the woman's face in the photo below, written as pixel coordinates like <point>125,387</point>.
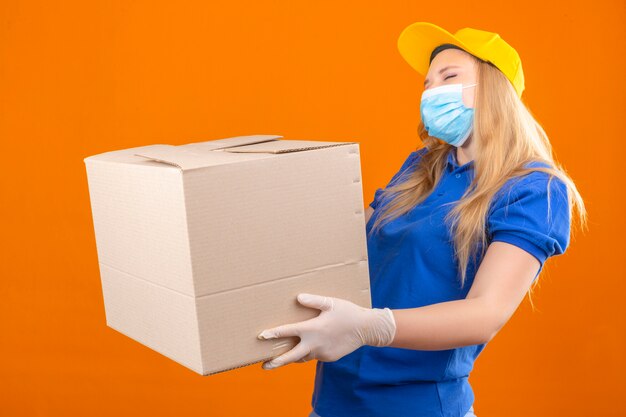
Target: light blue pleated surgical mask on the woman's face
<point>444,114</point>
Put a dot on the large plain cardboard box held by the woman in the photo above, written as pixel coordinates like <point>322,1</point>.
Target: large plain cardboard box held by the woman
<point>202,246</point>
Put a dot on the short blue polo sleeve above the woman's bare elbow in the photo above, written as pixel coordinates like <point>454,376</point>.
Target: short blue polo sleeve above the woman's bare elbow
<point>533,217</point>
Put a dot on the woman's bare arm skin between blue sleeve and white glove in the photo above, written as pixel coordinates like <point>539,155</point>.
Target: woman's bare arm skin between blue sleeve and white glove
<point>504,276</point>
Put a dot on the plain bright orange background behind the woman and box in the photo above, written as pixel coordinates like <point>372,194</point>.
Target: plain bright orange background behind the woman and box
<point>83,77</point>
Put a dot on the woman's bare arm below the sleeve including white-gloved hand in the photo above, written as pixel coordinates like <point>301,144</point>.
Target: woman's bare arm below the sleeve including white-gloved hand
<point>342,326</point>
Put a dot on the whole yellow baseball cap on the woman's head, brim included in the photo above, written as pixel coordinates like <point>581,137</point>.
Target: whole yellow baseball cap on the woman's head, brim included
<point>417,41</point>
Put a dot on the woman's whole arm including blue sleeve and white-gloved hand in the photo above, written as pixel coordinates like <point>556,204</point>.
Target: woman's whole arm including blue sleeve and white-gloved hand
<point>525,230</point>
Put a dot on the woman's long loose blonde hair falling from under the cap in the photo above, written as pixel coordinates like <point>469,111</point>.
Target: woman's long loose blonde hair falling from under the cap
<point>507,138</point>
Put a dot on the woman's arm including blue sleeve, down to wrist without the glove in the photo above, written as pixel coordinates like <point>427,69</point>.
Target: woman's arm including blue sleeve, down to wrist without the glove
<point>529,223</point>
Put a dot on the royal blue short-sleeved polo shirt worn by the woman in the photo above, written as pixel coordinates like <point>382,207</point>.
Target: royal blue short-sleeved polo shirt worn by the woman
<point>411,265</point>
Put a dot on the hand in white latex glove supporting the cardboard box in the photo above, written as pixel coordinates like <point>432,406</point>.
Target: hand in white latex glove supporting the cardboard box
<point>339,329</point>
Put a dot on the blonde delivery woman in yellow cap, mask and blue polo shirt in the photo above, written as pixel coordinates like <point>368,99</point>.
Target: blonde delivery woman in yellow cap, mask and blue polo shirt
<point>455,240</point>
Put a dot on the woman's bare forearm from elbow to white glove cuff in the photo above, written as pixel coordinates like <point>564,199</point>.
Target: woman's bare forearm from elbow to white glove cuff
<point>446,325</point>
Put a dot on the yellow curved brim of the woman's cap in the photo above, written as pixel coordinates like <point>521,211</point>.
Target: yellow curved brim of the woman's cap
<point>417,41</point>
